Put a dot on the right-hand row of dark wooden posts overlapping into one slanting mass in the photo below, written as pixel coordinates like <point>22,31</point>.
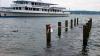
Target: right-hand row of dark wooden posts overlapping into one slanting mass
<point>86,32</point>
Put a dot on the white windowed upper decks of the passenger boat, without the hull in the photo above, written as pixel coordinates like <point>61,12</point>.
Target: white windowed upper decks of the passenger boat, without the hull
<point>33,7</point>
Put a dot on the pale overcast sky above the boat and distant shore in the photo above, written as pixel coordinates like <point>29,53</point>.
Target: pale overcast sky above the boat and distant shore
<point>72,4</point>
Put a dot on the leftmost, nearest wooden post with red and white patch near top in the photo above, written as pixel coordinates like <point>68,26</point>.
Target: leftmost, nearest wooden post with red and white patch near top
<point>48,35</point>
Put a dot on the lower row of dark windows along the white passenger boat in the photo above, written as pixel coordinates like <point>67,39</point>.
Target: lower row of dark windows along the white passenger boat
<point>36,9</point>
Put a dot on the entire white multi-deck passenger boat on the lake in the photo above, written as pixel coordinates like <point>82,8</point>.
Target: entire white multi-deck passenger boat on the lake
<point>32,8</point>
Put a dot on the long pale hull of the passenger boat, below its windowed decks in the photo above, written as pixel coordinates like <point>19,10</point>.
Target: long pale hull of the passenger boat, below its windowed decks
<point>20,14</point>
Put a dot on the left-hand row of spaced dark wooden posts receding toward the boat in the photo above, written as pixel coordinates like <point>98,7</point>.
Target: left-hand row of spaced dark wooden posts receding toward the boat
<point>48,29</point>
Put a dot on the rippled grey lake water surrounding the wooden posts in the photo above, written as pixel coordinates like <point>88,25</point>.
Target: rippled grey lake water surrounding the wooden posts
<point>26,37</point>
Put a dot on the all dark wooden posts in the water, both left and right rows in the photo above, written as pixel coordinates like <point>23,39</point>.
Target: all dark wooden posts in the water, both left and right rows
<point>73,23</point>
